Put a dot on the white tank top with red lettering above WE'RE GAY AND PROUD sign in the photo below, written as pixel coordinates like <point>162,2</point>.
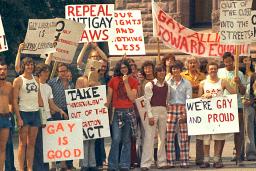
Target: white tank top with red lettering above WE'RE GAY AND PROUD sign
<point>214,88</point>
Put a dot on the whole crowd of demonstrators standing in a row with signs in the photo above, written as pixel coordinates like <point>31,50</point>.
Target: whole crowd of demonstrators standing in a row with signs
<point>160,138</point>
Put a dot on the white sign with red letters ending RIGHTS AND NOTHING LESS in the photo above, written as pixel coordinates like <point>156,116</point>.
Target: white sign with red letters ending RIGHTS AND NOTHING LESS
<point>128,34</point>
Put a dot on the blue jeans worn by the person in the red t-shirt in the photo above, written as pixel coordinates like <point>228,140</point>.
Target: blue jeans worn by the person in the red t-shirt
<point>120,135</point>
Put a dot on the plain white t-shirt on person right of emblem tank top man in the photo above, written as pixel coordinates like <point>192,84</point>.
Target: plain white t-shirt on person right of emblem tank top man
<point>46,93</point>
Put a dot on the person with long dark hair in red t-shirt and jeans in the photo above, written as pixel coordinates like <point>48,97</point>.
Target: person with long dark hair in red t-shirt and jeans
<point>122,91</point>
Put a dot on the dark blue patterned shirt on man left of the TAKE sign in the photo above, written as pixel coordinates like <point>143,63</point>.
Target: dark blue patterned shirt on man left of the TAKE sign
<point>58,92</point>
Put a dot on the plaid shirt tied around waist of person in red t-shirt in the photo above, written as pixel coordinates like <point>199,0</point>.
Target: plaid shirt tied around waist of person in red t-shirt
<point>131,119</point>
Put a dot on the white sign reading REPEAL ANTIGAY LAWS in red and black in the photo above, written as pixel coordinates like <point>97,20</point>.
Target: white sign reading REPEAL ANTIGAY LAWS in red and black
<point>98,20</point>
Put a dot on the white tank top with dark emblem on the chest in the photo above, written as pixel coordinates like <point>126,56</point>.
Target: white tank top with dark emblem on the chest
<point>28,95</point>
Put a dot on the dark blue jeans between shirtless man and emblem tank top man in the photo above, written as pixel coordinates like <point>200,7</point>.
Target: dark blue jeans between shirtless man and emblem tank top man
<point>9,160</point>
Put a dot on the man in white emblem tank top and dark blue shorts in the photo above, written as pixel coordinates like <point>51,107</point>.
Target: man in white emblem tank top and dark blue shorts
<point>26,102</point>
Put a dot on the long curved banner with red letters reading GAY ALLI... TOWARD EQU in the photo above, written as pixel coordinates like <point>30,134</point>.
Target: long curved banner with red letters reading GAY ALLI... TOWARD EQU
<point>188,41</point>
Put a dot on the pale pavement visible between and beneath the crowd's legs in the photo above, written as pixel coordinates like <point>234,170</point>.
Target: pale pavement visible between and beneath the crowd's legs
<point>227,156</point>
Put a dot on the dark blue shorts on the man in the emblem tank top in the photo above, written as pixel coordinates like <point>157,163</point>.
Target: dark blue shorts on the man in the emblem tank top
<point>31,118</point>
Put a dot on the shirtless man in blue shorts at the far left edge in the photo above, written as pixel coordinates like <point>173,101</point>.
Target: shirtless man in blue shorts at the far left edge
<point>5,118</point>
